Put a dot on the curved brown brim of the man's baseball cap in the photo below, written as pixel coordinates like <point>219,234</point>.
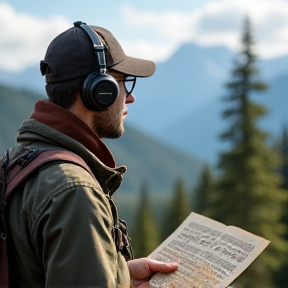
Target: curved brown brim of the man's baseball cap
<point>135,67</point>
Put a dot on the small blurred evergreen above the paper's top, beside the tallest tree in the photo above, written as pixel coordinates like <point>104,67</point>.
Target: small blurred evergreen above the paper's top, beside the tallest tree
<point>203,192</point>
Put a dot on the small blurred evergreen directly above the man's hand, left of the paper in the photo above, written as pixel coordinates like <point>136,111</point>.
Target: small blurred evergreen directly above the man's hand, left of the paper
<point>145,235</point>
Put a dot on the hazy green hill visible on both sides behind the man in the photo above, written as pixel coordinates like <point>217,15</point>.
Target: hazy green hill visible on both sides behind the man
<point>147,159</point>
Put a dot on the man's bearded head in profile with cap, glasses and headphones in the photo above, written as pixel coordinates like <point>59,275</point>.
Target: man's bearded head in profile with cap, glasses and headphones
<point>87,62</point>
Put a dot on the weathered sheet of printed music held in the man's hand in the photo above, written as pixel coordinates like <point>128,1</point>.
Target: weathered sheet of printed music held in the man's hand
<point>206,251</point>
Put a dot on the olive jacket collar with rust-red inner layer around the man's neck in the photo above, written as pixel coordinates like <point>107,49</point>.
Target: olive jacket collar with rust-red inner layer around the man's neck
<point>40,130</point>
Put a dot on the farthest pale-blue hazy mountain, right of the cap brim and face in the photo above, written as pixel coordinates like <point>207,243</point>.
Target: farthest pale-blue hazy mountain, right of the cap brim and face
<point>180,85</point>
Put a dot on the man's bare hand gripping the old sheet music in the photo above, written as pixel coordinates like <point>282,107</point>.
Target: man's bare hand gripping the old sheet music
<point>142,269</point>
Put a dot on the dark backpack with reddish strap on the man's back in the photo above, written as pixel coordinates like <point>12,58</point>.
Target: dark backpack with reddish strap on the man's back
<point>15,167</point>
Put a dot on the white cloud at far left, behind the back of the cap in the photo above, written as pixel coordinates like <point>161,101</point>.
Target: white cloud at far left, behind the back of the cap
<point>24,38</point>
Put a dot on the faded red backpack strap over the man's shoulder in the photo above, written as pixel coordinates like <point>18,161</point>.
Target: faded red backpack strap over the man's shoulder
<point>18,175</point>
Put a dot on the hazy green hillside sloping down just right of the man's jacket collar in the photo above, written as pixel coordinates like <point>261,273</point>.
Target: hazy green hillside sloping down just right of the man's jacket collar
<point>152,161</point>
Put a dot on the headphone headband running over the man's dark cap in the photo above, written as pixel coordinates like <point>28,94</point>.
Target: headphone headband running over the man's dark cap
<point>97,44</point>
